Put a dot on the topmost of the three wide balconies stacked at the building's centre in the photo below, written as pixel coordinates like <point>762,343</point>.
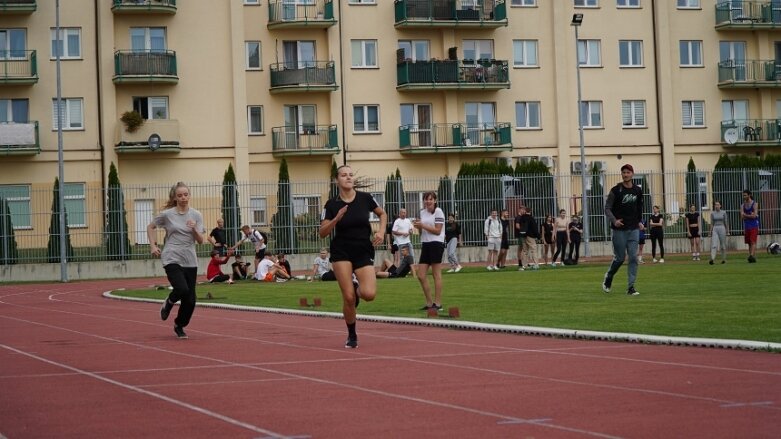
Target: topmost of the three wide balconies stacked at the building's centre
<point>450,13</point>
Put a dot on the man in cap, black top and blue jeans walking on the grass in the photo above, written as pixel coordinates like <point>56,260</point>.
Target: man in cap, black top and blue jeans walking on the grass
<point>624,210</point>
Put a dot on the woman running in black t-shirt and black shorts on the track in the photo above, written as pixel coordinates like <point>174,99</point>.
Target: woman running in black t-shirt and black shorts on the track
<point>352,244</point>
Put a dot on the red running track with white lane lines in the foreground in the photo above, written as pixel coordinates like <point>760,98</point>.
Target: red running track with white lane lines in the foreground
<point>76,365</point>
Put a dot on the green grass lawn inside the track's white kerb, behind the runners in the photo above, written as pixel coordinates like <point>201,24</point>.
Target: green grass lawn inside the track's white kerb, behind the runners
<point>679,298</point>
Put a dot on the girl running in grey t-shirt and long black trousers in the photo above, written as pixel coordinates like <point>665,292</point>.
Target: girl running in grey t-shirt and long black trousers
<point>183,229</point>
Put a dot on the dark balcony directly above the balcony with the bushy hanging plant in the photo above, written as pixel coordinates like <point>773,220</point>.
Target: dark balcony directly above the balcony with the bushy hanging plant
<point>134,67</point>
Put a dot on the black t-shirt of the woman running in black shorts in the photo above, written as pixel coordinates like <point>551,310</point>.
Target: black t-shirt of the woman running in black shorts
<point>354,225</point>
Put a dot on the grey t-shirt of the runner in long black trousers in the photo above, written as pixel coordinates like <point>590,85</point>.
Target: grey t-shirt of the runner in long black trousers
<point>179,245</point>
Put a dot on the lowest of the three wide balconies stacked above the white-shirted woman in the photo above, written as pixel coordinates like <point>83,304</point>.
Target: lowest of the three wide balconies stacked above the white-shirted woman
<point>455,137</point>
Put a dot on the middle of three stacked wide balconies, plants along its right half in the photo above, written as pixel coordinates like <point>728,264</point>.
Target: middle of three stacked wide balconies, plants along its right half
<point>452,75</point>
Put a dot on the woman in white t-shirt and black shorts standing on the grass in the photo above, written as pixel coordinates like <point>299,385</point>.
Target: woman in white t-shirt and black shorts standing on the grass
<point>431,224</point>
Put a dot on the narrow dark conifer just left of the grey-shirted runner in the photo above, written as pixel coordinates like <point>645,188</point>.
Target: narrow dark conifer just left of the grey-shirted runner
<point>117,242</point>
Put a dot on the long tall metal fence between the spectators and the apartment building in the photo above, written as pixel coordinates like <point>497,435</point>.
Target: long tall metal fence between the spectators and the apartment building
<point>290,213</point>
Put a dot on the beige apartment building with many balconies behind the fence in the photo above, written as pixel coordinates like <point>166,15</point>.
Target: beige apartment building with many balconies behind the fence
<point>419,85</point>
